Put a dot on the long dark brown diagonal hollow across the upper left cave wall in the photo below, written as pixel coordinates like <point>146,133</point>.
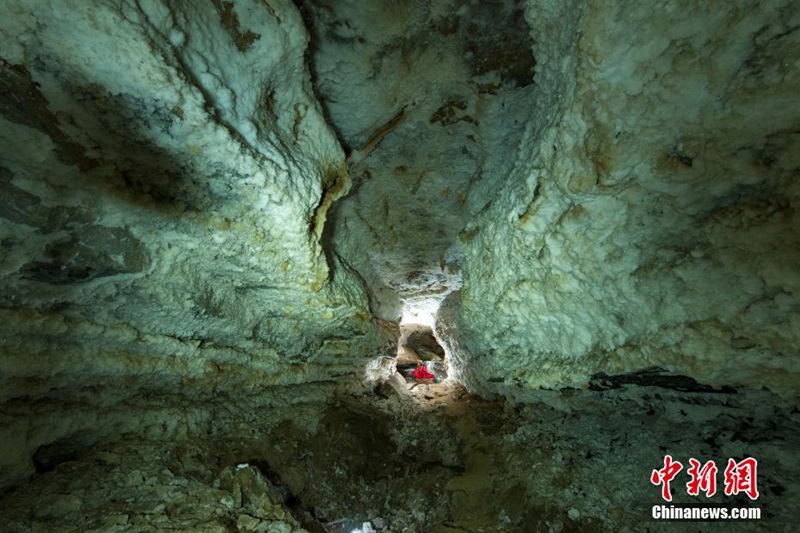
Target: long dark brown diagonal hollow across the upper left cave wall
<point>135,169</point>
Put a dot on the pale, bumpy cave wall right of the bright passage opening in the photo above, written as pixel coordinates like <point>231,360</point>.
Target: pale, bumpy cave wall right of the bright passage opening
<point>651,214</point>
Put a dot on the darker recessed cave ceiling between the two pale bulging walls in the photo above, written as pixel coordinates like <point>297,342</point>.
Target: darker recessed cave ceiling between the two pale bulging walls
<point>429,100</point>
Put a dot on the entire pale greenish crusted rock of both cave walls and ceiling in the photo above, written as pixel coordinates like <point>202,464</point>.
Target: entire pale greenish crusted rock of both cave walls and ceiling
<point>612,186</point>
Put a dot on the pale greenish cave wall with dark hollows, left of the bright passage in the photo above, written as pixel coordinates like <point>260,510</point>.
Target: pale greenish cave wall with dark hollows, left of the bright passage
<point>166,175</point>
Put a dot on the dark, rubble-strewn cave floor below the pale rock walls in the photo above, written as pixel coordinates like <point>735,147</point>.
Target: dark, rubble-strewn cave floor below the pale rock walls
<point>438,460</point>
